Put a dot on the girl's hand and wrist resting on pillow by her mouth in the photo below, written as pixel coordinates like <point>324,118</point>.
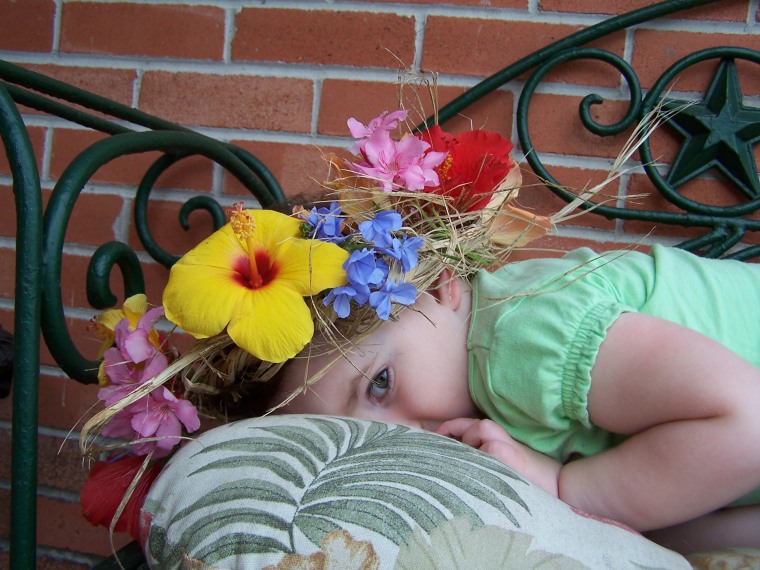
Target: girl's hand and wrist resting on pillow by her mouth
<point>491,438</point>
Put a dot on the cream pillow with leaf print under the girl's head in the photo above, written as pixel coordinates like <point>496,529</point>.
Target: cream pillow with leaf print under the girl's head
<point>324,492</point>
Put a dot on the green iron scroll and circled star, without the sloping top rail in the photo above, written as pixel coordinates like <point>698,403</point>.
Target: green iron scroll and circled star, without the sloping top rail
<point>721,115</point>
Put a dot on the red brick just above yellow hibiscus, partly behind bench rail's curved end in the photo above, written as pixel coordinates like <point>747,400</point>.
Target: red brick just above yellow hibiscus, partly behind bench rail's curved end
<point>298,168</point>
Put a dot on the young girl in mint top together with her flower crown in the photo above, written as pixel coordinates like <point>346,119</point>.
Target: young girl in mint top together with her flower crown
<point>627,384</point>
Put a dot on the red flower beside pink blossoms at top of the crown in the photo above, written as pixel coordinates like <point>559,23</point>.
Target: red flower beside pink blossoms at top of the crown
<point>477,162</point>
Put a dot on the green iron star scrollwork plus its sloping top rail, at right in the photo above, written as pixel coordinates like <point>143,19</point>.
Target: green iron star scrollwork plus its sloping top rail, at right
<point>720,116</point>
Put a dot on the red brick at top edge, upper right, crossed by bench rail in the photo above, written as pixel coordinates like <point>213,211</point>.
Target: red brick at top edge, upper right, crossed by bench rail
<point>729,10</point>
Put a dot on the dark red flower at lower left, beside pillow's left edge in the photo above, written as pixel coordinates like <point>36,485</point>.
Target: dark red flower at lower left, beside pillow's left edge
<point>105,487</point>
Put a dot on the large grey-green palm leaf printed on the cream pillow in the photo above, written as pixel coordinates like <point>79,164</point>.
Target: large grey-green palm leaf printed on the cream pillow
<point>285,479</point>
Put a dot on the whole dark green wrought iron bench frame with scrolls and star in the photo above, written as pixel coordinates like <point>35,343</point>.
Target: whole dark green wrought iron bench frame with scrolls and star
<point>719,133</point>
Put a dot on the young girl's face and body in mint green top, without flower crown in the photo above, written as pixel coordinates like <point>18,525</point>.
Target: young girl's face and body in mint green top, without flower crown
<point>625,384</point>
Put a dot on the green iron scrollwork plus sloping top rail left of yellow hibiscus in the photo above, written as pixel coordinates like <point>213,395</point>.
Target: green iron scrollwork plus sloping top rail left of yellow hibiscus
<point>174,142</point>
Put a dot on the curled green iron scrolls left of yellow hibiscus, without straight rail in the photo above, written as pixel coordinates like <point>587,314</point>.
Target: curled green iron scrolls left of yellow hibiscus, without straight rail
<point>177,145</point>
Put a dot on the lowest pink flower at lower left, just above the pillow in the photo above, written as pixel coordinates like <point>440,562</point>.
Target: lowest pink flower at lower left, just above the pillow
<point>162,415</point>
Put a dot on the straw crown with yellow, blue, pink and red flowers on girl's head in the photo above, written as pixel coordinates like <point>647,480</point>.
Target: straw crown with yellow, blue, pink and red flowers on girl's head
<point>400,210</point>
